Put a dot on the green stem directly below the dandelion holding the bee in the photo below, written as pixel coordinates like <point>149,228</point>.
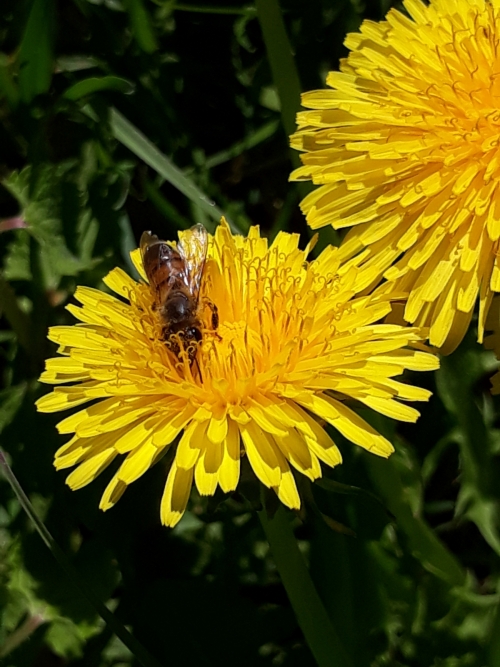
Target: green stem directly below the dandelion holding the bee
<point>313,619</point>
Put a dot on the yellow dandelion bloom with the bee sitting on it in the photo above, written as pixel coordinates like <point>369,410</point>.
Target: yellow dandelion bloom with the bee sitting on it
<point>292,342</point>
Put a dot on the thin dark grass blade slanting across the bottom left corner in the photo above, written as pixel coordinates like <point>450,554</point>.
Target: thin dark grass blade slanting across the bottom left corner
<point>139,651</point>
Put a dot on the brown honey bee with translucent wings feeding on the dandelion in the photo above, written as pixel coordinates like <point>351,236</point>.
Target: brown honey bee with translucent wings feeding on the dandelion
<point>175,275</point>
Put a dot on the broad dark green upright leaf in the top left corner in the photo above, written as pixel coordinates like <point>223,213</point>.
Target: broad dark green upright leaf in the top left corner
<point>35,52</point>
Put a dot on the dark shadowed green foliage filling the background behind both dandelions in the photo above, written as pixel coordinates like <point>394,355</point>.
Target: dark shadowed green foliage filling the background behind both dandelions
<point>124,115</point>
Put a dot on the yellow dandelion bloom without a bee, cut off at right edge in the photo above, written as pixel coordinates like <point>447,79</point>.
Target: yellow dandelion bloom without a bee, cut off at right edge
<point>406,150</point>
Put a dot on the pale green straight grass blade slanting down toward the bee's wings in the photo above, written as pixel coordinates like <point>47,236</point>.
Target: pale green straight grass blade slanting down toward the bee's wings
<point>141,146</point>
